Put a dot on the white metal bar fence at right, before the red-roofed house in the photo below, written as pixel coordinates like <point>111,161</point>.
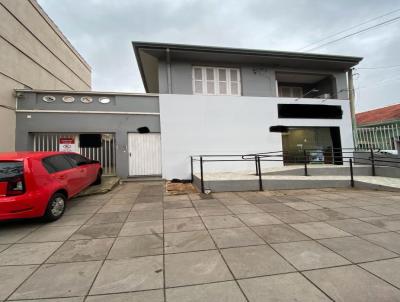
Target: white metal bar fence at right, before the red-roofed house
<point>381,137</point>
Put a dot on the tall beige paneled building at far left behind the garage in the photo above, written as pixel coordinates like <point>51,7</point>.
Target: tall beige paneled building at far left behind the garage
<point>34,54</point>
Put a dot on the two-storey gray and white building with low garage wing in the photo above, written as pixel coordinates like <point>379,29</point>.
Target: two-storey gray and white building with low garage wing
<point>199,100</point>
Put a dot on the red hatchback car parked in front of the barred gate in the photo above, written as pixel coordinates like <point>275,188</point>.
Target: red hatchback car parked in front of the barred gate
<point>37,184</point>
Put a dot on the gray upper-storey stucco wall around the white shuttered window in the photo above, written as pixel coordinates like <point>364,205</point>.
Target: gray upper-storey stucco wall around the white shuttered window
<point>257,80</point>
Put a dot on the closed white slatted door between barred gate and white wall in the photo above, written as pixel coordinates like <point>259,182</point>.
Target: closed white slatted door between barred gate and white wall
<point>144,154</point>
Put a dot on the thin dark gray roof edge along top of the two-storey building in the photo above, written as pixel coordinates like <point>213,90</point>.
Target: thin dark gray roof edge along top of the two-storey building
<point>246,51</point>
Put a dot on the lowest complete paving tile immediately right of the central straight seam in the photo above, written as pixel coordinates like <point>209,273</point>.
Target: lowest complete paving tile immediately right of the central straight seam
<point>195,268</point>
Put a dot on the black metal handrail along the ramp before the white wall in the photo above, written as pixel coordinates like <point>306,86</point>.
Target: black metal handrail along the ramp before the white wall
<point>341,153</point>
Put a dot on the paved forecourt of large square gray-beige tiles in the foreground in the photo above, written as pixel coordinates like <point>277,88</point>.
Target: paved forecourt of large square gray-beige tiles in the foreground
<point>135,244</point>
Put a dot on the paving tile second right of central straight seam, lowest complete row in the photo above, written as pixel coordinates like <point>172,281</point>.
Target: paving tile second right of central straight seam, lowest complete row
<point>253,261</point>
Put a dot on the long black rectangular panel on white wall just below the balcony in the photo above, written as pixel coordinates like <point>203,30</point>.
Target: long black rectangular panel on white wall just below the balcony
<point>309,111</point>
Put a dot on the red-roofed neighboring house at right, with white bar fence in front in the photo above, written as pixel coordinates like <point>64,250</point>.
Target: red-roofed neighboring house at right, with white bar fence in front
<point>379,128</point>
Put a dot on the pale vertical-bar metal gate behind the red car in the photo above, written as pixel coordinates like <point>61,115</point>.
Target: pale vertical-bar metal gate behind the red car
<point>104,154</point>
